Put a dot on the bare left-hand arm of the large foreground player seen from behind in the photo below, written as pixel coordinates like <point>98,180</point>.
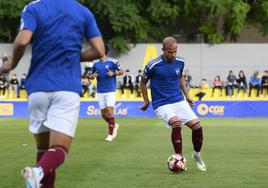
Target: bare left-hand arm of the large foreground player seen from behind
<point>22,40</point>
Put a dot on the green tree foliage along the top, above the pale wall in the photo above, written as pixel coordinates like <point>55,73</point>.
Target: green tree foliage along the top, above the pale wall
<point>130,21</point>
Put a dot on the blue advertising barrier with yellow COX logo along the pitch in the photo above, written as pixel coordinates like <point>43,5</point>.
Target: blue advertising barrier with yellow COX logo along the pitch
<point>90,109</point>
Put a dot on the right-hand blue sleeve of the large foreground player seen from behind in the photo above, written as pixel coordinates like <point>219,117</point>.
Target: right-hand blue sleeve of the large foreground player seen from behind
<point>91,27</point>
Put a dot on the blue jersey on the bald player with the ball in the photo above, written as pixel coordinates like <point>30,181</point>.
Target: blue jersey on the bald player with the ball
<point>164,80</point>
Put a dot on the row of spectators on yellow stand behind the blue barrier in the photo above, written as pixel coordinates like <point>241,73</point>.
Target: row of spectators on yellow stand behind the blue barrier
<point>233,87</point>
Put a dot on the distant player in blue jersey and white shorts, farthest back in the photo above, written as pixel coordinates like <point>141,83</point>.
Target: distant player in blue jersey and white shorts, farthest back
<point>106,70</point>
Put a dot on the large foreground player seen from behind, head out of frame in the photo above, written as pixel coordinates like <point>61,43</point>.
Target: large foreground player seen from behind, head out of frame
<point>56,30</point>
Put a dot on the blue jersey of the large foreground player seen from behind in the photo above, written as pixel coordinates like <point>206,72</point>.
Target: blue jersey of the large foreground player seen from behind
<point>58,30</point>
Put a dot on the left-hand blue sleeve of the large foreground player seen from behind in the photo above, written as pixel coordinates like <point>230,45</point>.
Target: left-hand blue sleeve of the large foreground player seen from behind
<point>28,18</point>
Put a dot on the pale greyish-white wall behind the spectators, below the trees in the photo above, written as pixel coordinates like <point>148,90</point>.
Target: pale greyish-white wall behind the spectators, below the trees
<point>203,60</point>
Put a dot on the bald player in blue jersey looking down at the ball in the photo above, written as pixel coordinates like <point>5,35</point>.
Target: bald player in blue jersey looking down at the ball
<point>167,89</point>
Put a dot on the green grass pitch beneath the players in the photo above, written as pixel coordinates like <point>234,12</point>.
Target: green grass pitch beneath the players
<point>235,152</point>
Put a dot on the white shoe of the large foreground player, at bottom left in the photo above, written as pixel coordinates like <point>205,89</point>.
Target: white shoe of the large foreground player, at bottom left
<point>31,177</point>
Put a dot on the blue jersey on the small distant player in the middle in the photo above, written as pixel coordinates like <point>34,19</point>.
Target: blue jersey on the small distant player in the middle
<point>105,83</point>
